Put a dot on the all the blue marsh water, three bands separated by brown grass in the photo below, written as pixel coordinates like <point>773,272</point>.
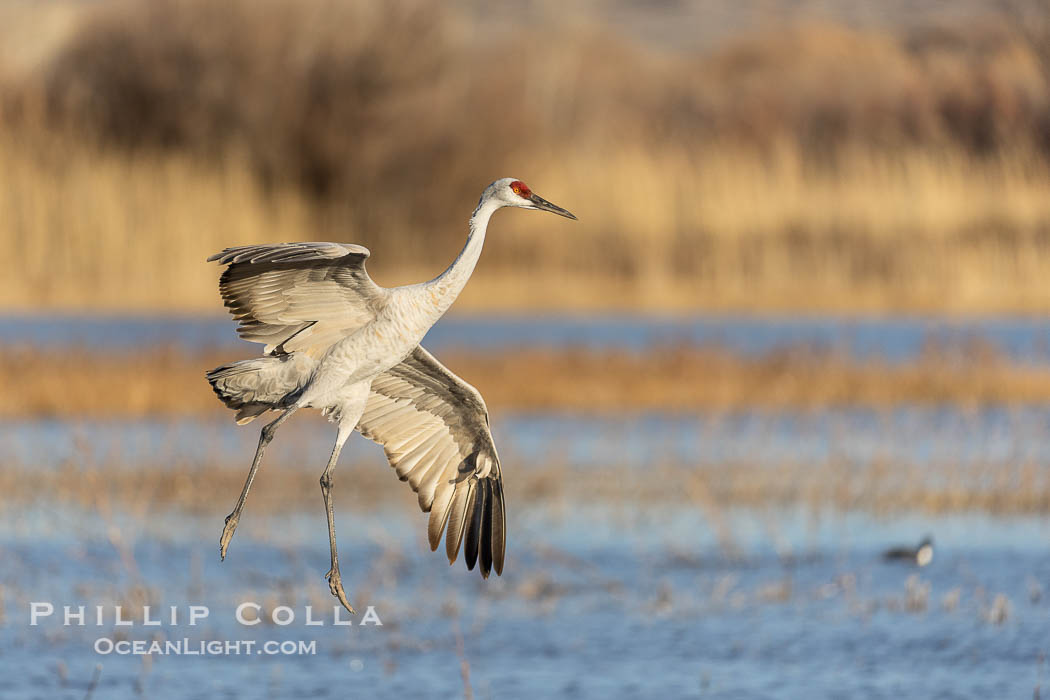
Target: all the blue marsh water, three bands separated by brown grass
<point>599,600</point>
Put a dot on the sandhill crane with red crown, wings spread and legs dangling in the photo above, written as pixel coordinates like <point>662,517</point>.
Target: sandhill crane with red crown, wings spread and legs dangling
<point>339,343</point>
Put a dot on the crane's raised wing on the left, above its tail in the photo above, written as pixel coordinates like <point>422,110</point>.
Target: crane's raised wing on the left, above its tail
<point>299,298</point>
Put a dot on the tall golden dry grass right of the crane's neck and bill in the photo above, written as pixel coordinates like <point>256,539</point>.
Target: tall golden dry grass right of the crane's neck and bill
<point>732,230</point>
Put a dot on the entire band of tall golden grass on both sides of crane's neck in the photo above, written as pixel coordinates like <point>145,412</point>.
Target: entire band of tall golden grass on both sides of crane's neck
<point>918,231</point>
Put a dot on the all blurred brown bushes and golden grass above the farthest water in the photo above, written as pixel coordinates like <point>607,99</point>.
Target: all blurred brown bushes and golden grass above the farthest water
<point>806,167</point>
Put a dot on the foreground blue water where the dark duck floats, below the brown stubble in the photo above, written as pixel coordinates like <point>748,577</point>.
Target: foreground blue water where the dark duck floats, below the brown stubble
<point>597,604</point>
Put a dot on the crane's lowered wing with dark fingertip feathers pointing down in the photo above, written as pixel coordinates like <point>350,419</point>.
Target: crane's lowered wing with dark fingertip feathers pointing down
<point>434,429</point>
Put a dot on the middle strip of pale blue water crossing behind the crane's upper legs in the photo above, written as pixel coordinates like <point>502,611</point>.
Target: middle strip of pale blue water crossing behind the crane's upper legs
<point>902,436</point>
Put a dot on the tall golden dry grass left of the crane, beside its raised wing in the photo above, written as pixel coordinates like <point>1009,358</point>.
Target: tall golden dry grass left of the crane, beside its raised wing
<point>97,230</point>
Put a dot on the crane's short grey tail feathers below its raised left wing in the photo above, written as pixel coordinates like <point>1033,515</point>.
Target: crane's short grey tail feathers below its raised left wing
<point>255,387</point>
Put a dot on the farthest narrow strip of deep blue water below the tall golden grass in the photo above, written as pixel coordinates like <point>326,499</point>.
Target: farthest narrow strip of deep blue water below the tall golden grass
<point>890,338</point>
